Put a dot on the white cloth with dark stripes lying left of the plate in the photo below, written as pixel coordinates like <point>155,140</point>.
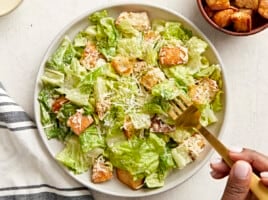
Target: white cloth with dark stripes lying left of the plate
<point>27,171</point>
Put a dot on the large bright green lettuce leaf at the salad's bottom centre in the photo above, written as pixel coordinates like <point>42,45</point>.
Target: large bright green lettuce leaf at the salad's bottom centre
<point>138,156</point>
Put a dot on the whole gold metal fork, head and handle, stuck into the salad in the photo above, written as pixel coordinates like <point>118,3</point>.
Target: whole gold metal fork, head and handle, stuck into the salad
<point>190,117</point>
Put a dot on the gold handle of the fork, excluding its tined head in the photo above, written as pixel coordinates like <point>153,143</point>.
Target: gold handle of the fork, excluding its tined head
<point>256,186</point>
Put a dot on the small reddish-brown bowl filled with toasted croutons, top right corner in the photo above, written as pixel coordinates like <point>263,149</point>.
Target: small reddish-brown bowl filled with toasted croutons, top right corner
<point>236,17</point>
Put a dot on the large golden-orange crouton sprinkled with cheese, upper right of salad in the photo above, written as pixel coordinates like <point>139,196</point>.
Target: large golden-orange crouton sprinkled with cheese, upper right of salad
<point>170,56</point>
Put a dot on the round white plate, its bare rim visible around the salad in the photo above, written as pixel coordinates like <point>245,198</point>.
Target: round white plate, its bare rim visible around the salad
<point>114,187</point>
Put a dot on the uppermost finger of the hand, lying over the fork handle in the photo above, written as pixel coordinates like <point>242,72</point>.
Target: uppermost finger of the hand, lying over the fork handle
<point>256,159</point>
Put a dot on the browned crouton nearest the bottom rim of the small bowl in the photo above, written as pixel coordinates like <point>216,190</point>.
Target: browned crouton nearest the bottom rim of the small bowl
<point>242,21</point>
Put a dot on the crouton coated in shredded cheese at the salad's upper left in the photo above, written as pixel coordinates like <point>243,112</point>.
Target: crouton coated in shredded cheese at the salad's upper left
<point>90,56</point>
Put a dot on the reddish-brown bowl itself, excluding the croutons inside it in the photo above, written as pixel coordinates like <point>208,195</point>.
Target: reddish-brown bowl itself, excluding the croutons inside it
<point>258,23</point>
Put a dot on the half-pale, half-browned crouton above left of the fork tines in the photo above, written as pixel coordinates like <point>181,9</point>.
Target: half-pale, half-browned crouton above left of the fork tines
<point>152,77</point>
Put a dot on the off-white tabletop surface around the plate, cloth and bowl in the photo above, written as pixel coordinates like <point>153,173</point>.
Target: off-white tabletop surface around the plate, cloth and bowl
<point>26,33</point>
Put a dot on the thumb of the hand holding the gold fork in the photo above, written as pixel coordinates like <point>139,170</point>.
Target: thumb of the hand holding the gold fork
<point>237,187</point>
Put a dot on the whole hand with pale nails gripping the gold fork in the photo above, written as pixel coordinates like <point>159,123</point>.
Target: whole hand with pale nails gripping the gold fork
<point>246,160</point>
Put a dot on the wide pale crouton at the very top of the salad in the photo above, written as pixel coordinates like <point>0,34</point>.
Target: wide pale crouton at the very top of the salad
<point>139,20</point>
